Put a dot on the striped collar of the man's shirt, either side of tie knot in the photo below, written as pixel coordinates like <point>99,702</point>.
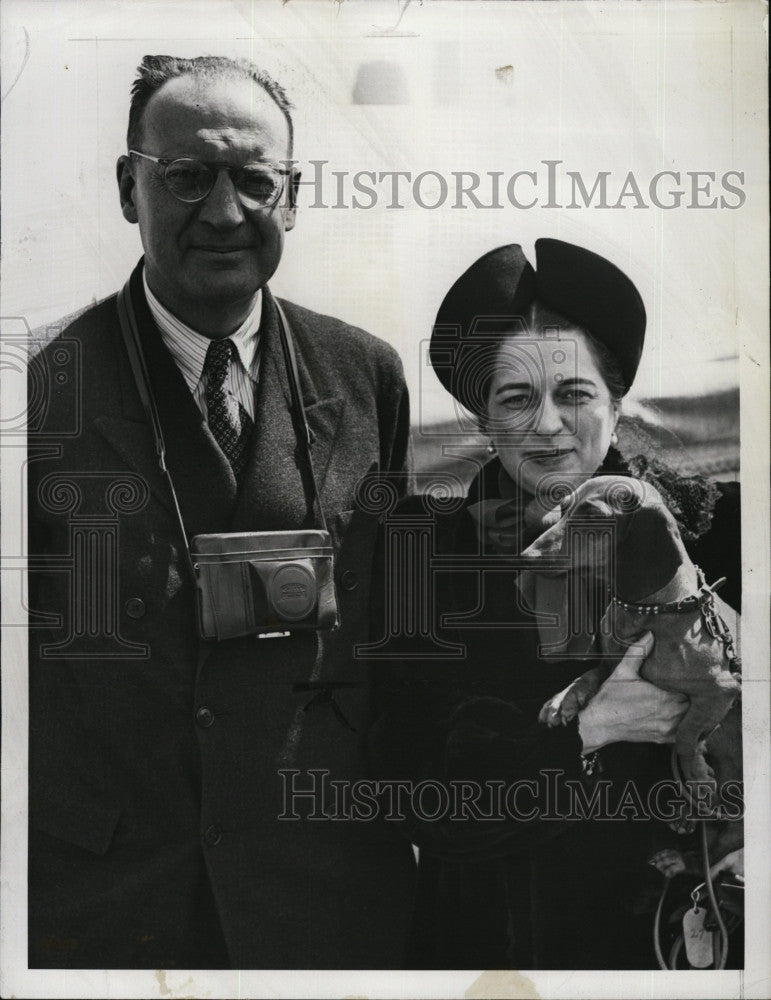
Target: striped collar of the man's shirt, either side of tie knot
<point>188,347</point>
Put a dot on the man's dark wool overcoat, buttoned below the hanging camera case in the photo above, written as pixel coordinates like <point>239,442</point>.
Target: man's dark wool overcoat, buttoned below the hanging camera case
<point>154,782</point>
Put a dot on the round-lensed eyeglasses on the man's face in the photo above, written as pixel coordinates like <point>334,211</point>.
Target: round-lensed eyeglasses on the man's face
<point>259,184</point>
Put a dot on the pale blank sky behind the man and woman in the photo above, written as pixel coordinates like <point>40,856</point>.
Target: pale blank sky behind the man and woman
<point>480,87</point>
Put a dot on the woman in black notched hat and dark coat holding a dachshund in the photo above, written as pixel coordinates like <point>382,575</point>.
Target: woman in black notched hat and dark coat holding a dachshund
<point>543,358</point>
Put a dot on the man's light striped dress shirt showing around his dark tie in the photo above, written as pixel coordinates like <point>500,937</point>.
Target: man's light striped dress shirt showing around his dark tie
<point>188,348</point>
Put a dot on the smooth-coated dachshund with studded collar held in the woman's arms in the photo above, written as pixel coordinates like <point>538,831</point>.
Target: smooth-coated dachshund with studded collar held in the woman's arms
<point>652,586</point>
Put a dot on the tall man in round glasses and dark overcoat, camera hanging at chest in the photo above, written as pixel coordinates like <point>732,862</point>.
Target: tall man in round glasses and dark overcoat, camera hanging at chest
<point>156,763</point>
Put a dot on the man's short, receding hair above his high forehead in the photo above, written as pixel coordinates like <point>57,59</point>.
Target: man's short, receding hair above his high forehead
<point>154,71</point>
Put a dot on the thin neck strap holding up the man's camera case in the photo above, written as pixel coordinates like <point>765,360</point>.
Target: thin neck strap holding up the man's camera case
<point>131,337</point>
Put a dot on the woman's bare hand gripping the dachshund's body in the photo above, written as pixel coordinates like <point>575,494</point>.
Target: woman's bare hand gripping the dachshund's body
<point>628,709</point>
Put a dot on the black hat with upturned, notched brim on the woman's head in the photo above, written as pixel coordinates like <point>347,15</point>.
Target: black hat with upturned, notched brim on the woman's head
<point>495,294</point>
